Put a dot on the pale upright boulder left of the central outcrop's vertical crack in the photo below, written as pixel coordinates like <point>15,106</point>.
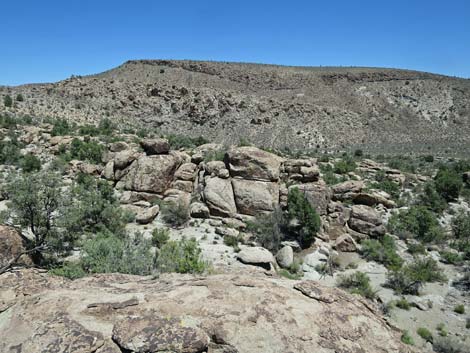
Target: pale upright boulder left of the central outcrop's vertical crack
<point>218,195</point>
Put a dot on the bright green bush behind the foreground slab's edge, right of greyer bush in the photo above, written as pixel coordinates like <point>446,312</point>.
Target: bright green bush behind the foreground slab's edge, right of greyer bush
<point>183,256</point>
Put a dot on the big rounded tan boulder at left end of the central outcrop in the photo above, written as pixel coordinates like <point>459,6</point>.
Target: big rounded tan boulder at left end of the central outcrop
<point>151,173</point>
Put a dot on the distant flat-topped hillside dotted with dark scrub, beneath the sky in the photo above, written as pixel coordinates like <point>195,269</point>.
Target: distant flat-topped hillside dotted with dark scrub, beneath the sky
<point>378,110</point>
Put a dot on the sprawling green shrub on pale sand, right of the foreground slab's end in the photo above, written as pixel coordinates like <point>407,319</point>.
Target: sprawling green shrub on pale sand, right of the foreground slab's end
<point>411,277</point>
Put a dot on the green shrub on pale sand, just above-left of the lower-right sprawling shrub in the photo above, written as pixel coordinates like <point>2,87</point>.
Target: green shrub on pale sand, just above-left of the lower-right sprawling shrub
<point>383,251</point>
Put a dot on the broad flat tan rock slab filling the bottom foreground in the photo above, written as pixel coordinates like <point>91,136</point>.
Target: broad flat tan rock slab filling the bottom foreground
<point>177,313</point>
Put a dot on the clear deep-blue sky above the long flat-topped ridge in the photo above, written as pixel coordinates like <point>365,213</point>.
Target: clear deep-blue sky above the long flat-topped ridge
<point>43,41</point>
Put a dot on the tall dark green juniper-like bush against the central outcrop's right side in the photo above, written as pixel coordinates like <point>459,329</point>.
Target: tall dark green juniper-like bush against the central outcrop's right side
<point>303,219</point>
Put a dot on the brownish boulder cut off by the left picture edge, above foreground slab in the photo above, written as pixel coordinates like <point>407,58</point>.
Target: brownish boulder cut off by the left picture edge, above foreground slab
<point>11,245</point>
